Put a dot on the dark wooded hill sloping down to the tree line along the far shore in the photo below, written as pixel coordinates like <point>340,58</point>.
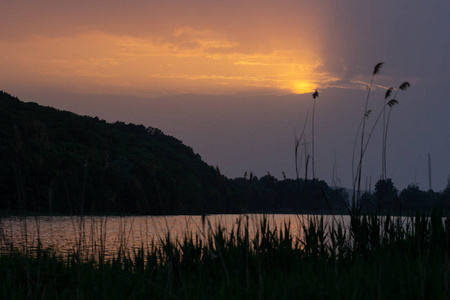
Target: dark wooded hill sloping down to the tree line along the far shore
<point>57,161</point>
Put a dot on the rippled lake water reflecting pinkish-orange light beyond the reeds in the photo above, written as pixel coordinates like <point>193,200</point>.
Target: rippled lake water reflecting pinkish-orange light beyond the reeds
<point>107,234</point>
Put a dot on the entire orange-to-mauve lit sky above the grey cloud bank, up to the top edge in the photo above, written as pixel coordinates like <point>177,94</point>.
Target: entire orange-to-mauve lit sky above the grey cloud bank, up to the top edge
<point>156,48</point>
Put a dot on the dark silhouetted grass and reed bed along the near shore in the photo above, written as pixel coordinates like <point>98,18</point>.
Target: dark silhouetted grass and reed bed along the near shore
<point>370,258</point>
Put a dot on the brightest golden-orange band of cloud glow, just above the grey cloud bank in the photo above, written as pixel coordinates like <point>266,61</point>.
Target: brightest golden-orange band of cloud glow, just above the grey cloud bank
<point>187,61</point>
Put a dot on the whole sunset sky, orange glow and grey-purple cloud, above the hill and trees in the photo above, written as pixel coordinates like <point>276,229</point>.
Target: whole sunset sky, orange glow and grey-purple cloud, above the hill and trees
<point>233,79</point>
